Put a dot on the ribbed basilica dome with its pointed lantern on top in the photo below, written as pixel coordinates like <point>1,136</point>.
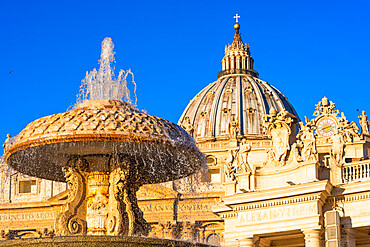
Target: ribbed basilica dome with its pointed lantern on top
<point>238,97</point>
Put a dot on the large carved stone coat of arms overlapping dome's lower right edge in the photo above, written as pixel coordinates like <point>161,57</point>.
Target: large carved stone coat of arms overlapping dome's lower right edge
<point>279,126</point>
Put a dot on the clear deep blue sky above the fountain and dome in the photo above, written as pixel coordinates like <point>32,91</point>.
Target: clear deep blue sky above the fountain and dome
<point>307,49</point>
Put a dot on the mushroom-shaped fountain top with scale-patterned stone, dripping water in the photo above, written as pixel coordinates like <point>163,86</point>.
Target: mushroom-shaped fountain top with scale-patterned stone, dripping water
<point>159,146</point>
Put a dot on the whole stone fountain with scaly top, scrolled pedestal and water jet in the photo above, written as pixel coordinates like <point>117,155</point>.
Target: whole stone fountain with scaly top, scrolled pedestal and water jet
<point>105,149</point>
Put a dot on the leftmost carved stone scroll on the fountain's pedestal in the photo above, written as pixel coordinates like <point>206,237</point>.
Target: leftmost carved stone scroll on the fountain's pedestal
<point>71,221</point>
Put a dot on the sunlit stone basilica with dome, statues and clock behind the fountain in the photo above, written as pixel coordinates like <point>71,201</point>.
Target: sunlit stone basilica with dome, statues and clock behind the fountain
<point>273,180</point>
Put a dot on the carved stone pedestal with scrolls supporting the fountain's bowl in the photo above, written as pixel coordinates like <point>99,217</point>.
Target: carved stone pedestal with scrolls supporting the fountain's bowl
<point>102,203</point>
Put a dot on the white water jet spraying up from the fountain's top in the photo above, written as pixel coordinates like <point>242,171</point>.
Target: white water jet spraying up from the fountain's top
<point>102,84</point>
